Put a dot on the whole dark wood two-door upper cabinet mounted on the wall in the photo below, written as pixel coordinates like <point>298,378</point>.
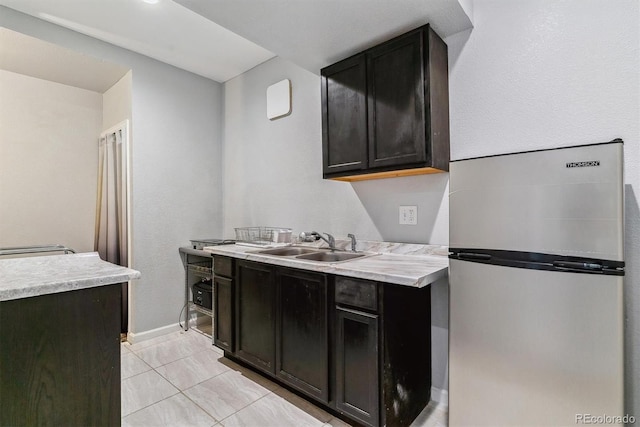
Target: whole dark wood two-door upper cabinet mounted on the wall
<point>385,111</point>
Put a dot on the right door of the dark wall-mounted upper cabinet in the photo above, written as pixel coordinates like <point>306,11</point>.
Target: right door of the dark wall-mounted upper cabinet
<point>396,102</point>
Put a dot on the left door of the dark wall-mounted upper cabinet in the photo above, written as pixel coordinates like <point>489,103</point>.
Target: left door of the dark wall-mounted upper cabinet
<point>344,116</point>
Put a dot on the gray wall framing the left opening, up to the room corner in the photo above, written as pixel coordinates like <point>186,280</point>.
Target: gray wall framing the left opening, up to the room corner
<point>176,139</point>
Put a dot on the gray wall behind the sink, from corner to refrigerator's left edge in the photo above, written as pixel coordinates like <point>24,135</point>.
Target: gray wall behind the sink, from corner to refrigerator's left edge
<point>273,176</point>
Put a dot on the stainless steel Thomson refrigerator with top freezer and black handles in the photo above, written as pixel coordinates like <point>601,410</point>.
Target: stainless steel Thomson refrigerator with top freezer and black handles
<point>536,287</point>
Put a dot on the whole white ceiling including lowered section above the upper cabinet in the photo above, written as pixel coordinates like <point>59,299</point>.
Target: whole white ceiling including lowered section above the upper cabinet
<point>220,39</point>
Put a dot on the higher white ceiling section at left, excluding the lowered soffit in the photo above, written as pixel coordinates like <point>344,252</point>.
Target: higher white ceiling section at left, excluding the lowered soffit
<point>165,31</point>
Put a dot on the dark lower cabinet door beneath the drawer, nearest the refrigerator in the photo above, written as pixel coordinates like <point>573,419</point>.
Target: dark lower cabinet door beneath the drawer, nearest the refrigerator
<point>357,366</point>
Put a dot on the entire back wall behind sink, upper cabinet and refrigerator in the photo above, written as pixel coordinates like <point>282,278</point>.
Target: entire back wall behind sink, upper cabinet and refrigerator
<point>530,75</point>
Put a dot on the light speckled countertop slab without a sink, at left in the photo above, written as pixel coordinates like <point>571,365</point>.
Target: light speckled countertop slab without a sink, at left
<point>41,275</point>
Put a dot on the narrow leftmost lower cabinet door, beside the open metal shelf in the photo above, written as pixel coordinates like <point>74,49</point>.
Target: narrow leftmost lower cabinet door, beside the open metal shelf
<point>223,313</point>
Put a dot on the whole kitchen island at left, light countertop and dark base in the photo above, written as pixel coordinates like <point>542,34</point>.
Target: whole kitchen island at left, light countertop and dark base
<point>60,340</point>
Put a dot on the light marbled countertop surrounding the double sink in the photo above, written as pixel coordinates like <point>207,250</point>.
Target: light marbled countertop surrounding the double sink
<point>403,264</point>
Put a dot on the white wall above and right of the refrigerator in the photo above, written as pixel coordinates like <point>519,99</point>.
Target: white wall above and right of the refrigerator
<point>542,73</point>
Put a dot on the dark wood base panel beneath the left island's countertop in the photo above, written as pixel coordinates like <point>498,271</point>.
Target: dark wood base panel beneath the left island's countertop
<point>60,359</point>
